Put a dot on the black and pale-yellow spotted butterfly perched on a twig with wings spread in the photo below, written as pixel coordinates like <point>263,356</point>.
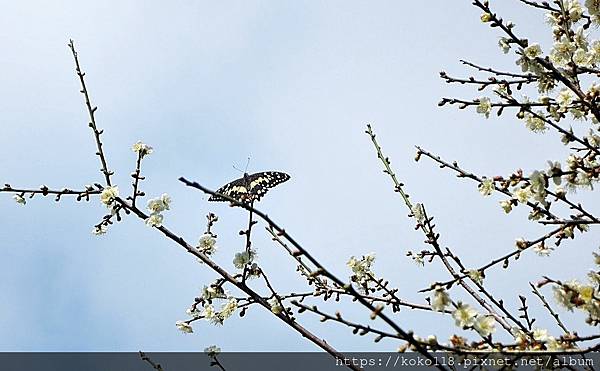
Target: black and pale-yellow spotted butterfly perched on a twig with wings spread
<point>250,187</point>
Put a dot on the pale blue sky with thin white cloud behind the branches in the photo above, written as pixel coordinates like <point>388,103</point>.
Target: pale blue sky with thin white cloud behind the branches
<point>290,84</point>
